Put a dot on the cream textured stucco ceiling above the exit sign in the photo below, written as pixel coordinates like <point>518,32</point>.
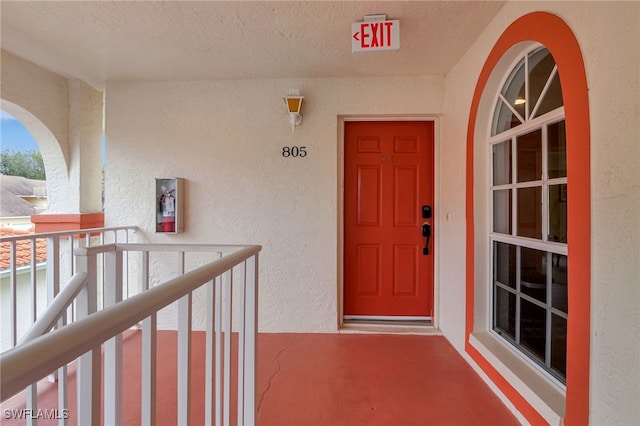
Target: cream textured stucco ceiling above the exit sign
<point>99,41</point>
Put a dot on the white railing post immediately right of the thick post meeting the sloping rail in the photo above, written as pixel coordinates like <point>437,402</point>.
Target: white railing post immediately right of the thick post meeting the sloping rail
<point>113,346</point>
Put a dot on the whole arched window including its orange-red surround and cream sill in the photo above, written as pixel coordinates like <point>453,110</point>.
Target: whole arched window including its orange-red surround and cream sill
<point>528,264</point>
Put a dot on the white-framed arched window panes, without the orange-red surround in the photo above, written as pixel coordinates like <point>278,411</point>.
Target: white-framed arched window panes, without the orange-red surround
<point>528,234</point>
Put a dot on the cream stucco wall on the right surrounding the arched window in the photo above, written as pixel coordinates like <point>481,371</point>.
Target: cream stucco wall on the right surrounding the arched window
<point>609,37</point>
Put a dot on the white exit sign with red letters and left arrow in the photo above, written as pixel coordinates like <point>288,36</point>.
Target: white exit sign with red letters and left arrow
<point>375,33</point>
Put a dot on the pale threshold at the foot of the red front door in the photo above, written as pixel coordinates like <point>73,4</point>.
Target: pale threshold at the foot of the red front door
<point>397,325</point>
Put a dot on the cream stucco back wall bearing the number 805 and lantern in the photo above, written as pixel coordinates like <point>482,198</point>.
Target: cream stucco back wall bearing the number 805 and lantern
<point>226,138</point>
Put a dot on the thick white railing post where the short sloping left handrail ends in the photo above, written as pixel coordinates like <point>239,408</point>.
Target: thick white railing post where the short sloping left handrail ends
<point>88,371</point>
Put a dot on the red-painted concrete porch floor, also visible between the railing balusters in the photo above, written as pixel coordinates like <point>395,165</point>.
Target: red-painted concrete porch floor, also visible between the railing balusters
<point>321,379</point>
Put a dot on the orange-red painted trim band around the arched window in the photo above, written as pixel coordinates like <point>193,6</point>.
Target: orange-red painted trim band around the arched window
<point>553,33</point>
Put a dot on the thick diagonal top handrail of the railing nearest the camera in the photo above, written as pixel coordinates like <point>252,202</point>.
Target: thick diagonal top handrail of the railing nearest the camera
<point>28,363</point>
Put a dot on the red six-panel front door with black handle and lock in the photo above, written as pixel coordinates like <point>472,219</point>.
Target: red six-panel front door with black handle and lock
<point>388,179</point>
